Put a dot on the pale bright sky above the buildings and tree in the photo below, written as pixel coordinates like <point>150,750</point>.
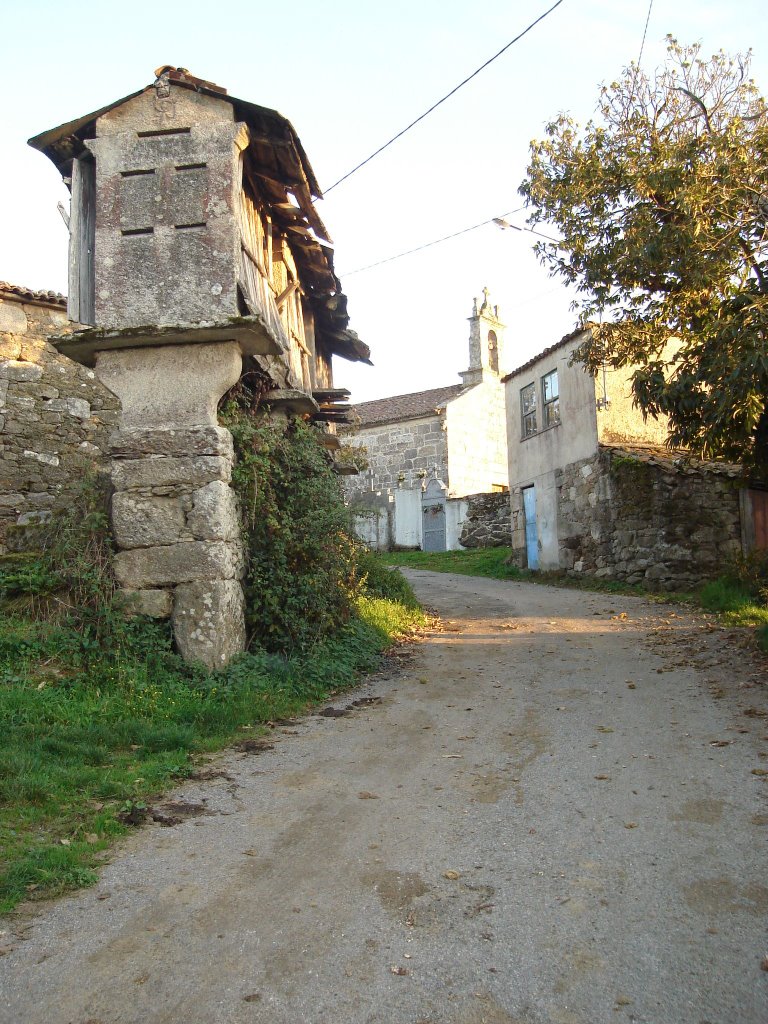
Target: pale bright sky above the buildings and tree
<point>350,76</point>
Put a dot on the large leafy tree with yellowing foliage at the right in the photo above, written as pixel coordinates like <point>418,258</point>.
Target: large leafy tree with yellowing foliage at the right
<point>662,203</point>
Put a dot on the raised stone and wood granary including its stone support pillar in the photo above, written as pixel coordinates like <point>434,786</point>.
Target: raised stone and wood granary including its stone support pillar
<point>196,257</point>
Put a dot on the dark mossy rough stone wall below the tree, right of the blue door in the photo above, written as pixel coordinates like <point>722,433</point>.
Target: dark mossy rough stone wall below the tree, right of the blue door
<point>666,526</point>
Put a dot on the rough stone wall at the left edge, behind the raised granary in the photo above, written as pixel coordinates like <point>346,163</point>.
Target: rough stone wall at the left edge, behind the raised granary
<point>56,417</point>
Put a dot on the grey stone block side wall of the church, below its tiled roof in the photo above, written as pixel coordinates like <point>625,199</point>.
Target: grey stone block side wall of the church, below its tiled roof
<point>401,454</point>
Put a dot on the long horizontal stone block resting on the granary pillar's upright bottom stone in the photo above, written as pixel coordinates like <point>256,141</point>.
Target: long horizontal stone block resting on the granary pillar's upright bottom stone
<point>185,563</point>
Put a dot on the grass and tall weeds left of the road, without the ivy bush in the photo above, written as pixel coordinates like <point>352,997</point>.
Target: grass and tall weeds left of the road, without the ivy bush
<point>100,715</point>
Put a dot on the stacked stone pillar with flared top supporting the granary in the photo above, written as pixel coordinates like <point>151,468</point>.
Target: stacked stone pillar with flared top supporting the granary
<point>175,515</point>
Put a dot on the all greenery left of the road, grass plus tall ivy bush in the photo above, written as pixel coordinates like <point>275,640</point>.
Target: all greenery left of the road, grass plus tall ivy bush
<point>100,715</point>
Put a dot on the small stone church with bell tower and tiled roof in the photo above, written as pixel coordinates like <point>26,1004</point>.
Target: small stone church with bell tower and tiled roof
<point>449,441</point>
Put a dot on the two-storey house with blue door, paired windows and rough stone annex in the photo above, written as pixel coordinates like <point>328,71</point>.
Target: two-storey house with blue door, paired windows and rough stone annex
<point>595,492</point>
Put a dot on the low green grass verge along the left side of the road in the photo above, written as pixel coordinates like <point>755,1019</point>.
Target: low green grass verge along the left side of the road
<point>90,734</point>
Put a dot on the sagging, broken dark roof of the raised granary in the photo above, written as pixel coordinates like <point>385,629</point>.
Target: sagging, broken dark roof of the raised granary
<point>278,169</point>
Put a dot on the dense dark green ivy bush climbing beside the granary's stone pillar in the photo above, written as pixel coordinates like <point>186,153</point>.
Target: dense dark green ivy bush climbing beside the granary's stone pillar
<point>301,577</point>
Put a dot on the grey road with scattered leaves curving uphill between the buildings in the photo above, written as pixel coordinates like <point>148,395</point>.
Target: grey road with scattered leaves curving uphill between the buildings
<point>552,813</point>
